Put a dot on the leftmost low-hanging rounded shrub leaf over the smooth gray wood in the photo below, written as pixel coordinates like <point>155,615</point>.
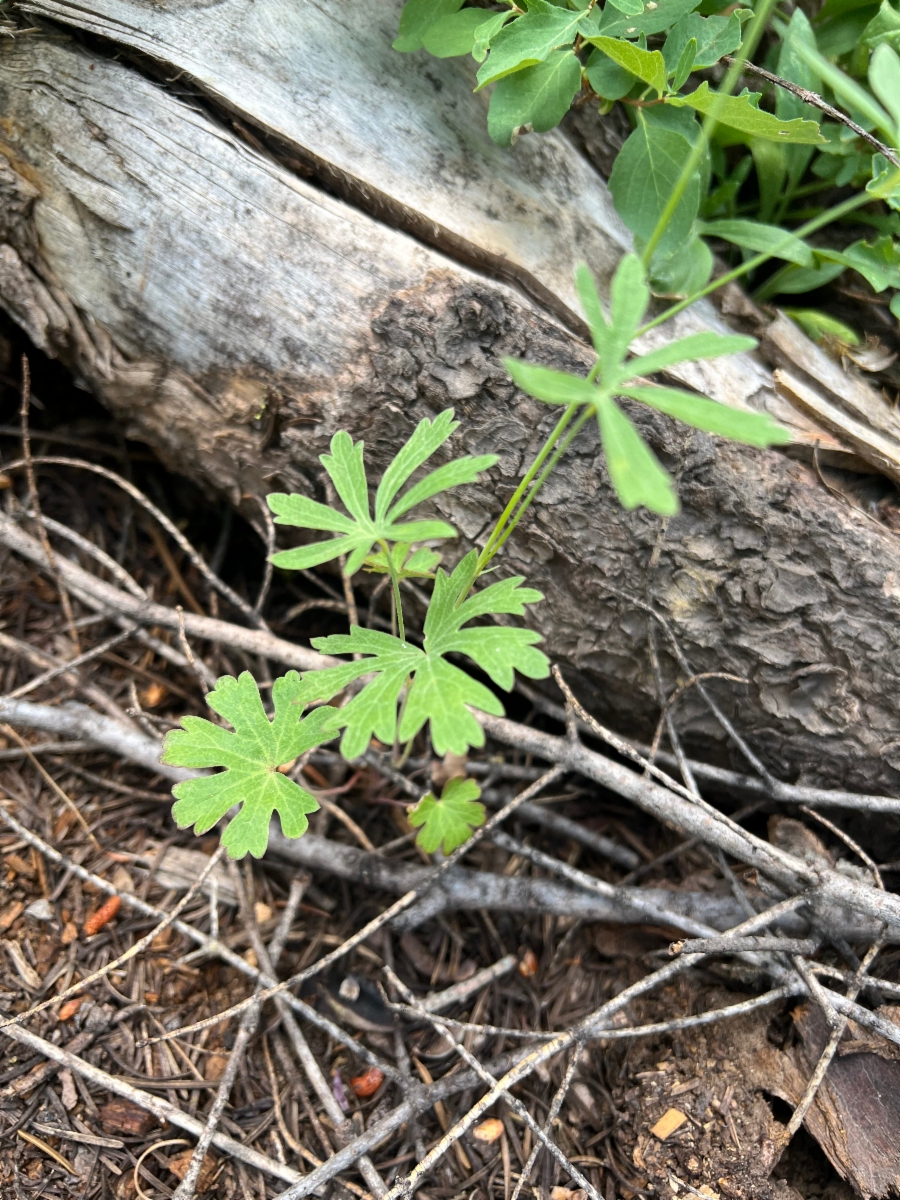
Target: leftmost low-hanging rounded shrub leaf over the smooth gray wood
<point>539,98</point>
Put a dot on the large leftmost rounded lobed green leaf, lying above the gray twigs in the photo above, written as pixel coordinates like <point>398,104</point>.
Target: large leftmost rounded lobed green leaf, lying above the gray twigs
<point>251,757</point>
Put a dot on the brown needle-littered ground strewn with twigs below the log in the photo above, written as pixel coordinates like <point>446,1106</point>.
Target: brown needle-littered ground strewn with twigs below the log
<point>698,1111</point>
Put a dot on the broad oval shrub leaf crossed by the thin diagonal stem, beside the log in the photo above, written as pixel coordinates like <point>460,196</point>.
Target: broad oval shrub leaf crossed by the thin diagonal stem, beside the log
<point>644,177</point>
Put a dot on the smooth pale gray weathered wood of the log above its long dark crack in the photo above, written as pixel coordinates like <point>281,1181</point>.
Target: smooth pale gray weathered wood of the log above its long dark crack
<point>405,139</point>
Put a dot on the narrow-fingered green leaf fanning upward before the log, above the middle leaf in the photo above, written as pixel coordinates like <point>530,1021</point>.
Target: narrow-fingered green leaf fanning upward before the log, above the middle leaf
<point>359,531</point>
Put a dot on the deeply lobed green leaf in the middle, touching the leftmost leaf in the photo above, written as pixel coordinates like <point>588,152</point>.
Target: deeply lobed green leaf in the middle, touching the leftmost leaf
<point>441,693</point>
